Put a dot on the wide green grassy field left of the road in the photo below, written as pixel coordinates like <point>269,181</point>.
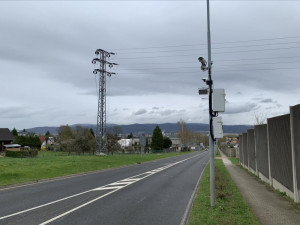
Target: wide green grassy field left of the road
<point>55,164</point>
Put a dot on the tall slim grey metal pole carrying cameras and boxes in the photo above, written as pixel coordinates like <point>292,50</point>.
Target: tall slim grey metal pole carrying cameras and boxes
<point>211,141</point>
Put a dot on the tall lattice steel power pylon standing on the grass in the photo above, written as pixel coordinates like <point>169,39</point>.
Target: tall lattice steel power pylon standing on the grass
<point>100,135</point>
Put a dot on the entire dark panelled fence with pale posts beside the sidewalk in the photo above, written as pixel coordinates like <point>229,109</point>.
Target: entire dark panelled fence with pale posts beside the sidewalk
<point>272,151</point>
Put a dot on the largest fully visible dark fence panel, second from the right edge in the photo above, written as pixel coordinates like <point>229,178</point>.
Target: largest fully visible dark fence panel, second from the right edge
<point>280,151</point>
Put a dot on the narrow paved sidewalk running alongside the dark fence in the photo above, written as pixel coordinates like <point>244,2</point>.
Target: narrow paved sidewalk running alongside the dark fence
<point>266,205</point>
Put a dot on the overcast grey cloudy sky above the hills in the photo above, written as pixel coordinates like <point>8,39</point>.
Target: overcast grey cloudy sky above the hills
<point>46,49</point>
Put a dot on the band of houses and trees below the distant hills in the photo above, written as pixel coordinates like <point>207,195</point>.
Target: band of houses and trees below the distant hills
<point>82,140</point>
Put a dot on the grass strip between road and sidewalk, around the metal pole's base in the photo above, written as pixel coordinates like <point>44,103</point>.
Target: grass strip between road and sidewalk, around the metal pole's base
<point>230,206</point>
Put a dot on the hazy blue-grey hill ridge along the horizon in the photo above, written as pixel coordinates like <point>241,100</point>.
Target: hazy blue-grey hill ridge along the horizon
<point>148,128</point>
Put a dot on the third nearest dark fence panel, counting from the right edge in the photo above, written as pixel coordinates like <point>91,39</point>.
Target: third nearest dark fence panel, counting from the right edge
<point>261,146</point>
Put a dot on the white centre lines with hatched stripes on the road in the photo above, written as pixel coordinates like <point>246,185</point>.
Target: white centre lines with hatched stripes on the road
<point>115,186</point>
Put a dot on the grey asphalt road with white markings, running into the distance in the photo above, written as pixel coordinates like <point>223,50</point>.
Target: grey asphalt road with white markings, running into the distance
<point>157,192</point>
